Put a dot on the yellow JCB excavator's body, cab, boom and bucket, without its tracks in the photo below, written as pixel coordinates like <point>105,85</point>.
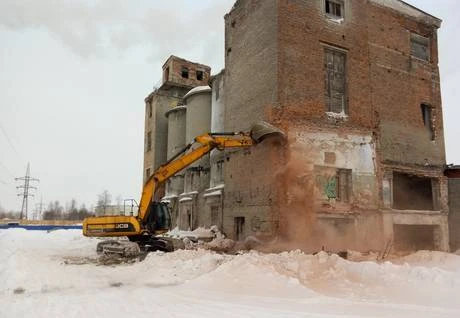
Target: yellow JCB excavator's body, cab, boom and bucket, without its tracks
<point>153,217</point>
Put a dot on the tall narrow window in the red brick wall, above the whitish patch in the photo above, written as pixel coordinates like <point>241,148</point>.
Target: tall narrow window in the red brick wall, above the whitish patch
<point>335,81</point>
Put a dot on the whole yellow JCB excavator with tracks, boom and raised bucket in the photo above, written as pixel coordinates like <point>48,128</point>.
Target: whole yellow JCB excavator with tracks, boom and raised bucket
<point>153,219</point>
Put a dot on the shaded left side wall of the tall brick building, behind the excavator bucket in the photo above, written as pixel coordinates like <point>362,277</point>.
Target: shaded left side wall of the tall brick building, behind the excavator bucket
<point>250,90</point>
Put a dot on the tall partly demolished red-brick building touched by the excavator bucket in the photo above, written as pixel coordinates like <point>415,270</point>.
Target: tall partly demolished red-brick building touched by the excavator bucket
<point>355,86</point>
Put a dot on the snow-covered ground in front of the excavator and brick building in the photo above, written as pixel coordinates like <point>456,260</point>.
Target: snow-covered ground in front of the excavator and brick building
<point>52,275</point>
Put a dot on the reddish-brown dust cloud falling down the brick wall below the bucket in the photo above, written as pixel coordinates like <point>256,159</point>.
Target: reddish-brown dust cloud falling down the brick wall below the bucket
<point>298,199</point>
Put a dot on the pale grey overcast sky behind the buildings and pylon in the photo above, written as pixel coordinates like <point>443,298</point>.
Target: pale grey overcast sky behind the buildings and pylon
<point>73,76</point>
